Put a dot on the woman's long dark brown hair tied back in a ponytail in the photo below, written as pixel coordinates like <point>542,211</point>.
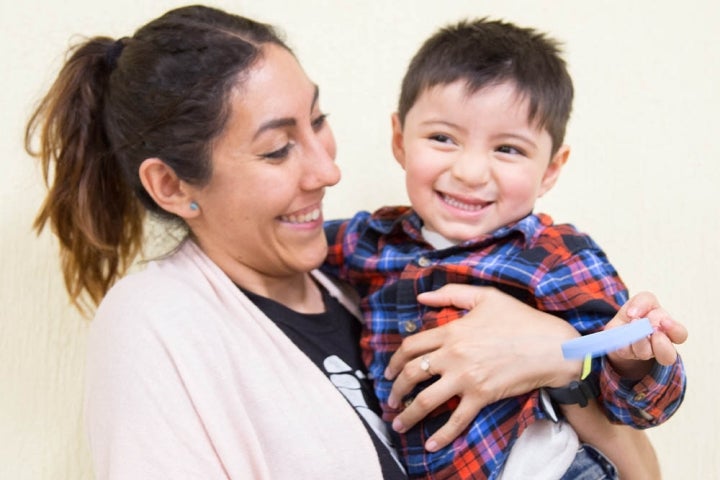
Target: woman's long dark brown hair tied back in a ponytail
<point>164,93</point>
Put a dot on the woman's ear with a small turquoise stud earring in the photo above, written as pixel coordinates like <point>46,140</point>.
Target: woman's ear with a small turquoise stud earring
<point>163,185</point>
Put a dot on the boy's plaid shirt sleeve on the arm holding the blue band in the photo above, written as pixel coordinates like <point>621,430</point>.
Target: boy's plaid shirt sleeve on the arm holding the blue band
<point>586,290</point>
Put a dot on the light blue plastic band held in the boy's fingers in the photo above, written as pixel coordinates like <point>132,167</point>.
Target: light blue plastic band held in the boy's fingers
<point>600,343</point>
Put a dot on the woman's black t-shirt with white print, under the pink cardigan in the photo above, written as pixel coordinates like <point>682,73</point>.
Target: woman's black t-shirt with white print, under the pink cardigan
<point>331,341</point>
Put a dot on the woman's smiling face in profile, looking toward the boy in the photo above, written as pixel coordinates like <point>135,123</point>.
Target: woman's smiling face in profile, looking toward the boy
<point>260,215</point>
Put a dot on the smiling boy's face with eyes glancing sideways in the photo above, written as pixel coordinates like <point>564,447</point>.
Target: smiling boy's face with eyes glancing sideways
<point>473,163</point>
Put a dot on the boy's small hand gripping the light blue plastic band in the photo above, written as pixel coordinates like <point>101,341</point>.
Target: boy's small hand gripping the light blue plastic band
<point>633,361</point>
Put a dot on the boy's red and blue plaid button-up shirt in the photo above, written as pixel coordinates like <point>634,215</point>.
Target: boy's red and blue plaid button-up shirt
<point>551,267</point>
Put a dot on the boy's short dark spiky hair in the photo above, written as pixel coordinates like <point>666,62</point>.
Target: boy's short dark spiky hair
<point>488,52</point>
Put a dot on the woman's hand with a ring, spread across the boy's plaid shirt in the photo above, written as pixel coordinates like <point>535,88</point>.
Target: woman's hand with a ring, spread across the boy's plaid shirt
<point>501,348</point>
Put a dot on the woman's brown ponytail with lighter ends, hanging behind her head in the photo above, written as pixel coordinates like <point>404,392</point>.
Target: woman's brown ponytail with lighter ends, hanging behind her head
<point>89,206</point>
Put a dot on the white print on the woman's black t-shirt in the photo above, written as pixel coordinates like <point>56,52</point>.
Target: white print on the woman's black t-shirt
<point>342,377</point>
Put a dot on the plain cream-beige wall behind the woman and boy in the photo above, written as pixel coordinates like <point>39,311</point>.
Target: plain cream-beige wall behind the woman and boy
<point>643,177</point>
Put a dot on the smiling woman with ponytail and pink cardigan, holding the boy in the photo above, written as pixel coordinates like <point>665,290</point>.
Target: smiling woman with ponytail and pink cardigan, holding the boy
<point>214,361</point>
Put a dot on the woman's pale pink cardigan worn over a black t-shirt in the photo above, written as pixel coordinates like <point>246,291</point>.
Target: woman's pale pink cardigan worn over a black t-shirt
<point>186,378</point>
